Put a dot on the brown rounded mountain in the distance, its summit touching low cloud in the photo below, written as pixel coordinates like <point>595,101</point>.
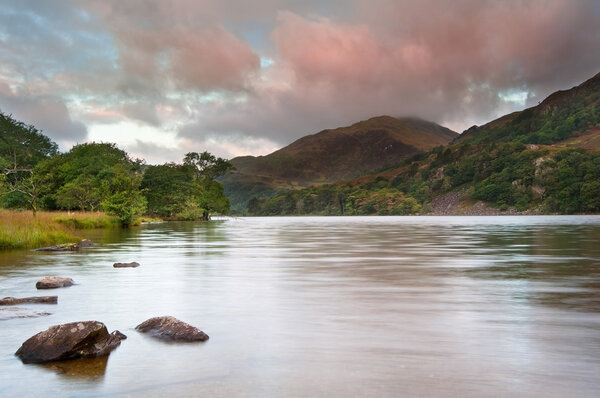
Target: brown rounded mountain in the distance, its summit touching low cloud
<point>332,155</point>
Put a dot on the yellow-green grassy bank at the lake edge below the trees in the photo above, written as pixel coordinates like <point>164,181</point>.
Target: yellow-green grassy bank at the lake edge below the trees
<point>21,229</point>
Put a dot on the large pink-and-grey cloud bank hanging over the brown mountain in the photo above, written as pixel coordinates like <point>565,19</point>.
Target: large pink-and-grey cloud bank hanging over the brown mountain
<point>452,63</point>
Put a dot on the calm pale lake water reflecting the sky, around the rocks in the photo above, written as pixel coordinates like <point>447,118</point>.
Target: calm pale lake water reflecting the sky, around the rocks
<point>325,307</point>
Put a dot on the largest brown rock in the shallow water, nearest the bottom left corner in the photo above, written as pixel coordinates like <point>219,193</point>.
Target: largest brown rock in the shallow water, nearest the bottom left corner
<point>70,341</point>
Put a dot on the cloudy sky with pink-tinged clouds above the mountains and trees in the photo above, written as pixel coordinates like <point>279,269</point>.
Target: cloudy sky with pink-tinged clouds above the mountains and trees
<point>161,78</point>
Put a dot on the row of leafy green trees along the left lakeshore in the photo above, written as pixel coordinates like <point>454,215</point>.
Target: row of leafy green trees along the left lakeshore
<point>103,177</point>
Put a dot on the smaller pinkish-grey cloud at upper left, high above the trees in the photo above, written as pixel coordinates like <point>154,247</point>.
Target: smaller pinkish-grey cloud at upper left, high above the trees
<point>164,46</point>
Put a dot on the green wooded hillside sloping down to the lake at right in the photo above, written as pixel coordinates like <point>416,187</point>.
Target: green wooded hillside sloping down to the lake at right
<point>544,159</point>
